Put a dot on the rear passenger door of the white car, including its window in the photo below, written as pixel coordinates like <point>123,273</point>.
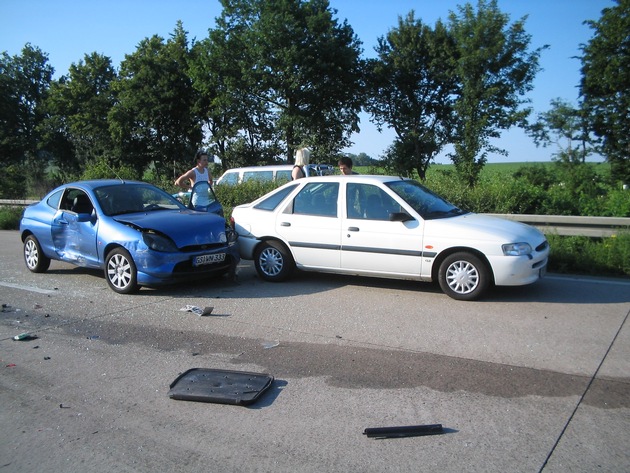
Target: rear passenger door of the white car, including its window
<point>311,225</point>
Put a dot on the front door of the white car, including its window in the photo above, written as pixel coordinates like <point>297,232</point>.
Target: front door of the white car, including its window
<point>371,243</point>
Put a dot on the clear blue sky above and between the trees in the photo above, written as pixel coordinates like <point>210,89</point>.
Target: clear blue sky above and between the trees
<point>66,30</point>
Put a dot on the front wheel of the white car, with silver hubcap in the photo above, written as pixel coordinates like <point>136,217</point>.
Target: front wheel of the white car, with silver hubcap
<point>463,276</point>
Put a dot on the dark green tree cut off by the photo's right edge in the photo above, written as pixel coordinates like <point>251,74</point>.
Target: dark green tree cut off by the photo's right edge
<point>605,85</point>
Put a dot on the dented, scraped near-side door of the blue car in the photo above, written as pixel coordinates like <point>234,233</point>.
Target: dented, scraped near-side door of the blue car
<point>74,230</point>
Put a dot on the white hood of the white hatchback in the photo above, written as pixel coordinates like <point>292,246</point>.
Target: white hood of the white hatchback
<point>484,227</point>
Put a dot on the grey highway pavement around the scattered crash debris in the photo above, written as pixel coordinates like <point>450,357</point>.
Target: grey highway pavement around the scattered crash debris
<point>530,379</point>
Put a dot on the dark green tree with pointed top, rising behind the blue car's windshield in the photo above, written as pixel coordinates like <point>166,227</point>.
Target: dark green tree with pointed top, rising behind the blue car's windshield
<point>154,118</point>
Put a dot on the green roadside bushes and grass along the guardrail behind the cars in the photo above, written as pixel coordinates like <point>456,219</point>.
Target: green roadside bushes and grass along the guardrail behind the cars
<point>517,188</point>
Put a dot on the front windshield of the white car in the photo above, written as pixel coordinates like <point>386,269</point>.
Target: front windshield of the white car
<point>423,201</point>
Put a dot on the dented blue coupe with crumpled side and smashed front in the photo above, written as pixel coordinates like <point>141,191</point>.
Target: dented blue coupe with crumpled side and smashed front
<point>138,234</point>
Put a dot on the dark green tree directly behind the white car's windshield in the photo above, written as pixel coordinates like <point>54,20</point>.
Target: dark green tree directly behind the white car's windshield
<point>411,89</point>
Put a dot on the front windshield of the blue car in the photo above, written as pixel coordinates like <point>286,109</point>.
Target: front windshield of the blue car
<point>130,198</point>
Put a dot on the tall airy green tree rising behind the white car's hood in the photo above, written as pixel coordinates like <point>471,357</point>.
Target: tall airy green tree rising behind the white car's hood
<point>495,68</point>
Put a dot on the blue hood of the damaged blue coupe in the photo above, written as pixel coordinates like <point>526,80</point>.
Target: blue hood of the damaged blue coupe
<point>184,227</point>
